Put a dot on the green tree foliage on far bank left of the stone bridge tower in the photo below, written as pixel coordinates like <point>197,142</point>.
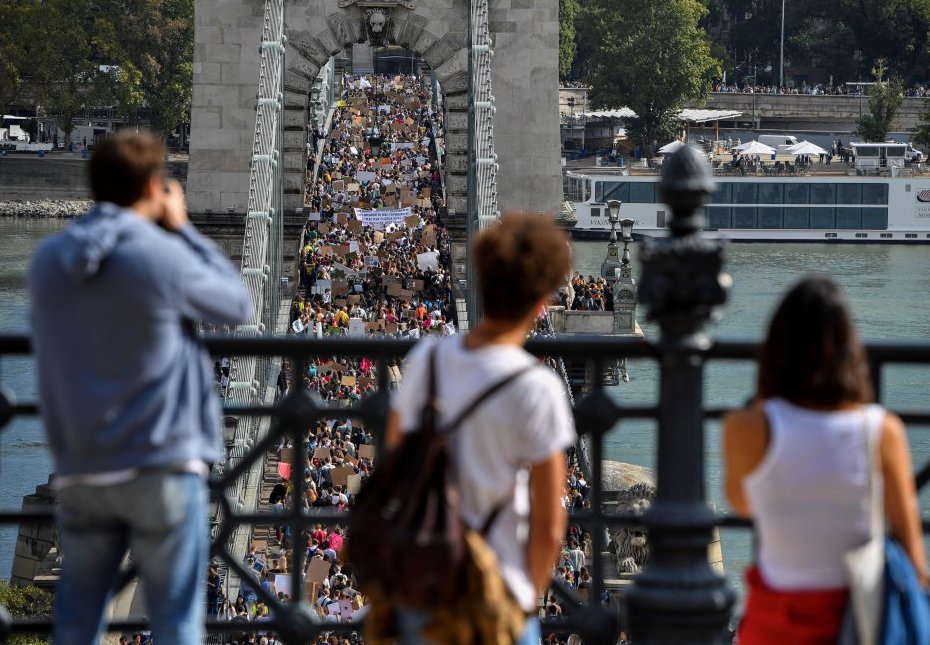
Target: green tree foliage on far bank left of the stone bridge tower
<point>95,53</point>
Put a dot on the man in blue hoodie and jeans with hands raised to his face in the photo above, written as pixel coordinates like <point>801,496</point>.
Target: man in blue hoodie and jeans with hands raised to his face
<point>127,391</point>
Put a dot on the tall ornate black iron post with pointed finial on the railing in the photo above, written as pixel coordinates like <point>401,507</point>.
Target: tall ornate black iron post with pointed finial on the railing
<point>678,598</point>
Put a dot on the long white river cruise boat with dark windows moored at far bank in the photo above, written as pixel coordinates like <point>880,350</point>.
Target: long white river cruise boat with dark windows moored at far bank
<point>831,207</point>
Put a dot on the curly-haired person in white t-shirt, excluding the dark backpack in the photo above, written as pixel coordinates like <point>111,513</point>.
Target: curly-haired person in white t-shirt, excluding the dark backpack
<point>510,453</point>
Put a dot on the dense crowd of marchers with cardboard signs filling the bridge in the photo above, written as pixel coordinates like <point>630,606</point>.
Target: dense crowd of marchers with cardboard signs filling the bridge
<point>374,262</point>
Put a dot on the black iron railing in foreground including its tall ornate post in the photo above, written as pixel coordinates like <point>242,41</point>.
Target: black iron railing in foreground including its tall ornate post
<point>677,598</point>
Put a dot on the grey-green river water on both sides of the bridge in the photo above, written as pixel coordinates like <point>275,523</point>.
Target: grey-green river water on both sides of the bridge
<point>888,287</point>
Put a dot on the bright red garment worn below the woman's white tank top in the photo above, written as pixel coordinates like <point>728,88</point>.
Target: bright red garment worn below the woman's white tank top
<point>796,617</point>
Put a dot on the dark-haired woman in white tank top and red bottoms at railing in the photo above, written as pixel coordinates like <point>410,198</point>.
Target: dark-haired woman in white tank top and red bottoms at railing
<point>795,462</point>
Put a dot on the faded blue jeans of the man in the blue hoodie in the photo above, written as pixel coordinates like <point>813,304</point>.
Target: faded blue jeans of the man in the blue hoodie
<point>162,518</point>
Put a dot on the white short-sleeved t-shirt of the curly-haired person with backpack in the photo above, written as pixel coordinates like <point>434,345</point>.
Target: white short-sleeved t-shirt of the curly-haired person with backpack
<point>524,423</point>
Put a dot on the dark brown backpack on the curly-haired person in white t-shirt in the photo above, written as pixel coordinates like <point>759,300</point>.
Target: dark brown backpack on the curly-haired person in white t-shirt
<point>406,535</point>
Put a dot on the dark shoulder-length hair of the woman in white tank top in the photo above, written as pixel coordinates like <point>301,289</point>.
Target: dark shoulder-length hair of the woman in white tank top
<point>812,355</point>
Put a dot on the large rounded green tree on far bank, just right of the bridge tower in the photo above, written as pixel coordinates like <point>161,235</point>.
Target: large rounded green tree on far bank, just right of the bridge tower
<point>651,57</point>
